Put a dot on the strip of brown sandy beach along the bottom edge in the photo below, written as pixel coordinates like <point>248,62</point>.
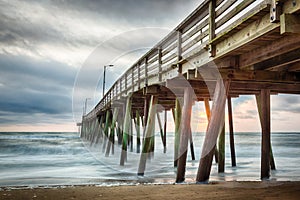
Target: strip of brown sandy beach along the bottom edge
<point>220,190</point>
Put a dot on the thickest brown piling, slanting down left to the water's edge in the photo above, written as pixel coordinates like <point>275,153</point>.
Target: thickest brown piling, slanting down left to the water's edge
<point>214,128</point>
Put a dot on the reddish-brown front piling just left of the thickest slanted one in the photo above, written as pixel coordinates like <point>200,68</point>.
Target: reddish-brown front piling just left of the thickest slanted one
<point>185,134</point>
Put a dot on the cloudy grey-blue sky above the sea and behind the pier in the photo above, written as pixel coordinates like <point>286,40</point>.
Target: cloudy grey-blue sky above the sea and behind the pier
<point>52,55</point>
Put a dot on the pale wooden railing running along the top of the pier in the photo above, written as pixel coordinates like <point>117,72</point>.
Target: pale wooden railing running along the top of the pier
<point>210,23</point>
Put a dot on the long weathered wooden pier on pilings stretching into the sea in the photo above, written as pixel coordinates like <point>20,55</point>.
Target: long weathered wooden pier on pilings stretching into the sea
<point>222,50</point>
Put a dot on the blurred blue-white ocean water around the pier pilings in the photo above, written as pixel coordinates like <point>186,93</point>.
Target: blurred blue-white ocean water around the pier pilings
<point>56,159</point>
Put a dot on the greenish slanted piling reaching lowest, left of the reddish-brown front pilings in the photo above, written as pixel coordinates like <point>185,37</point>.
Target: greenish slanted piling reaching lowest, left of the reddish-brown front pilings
<point>148,136</point>
